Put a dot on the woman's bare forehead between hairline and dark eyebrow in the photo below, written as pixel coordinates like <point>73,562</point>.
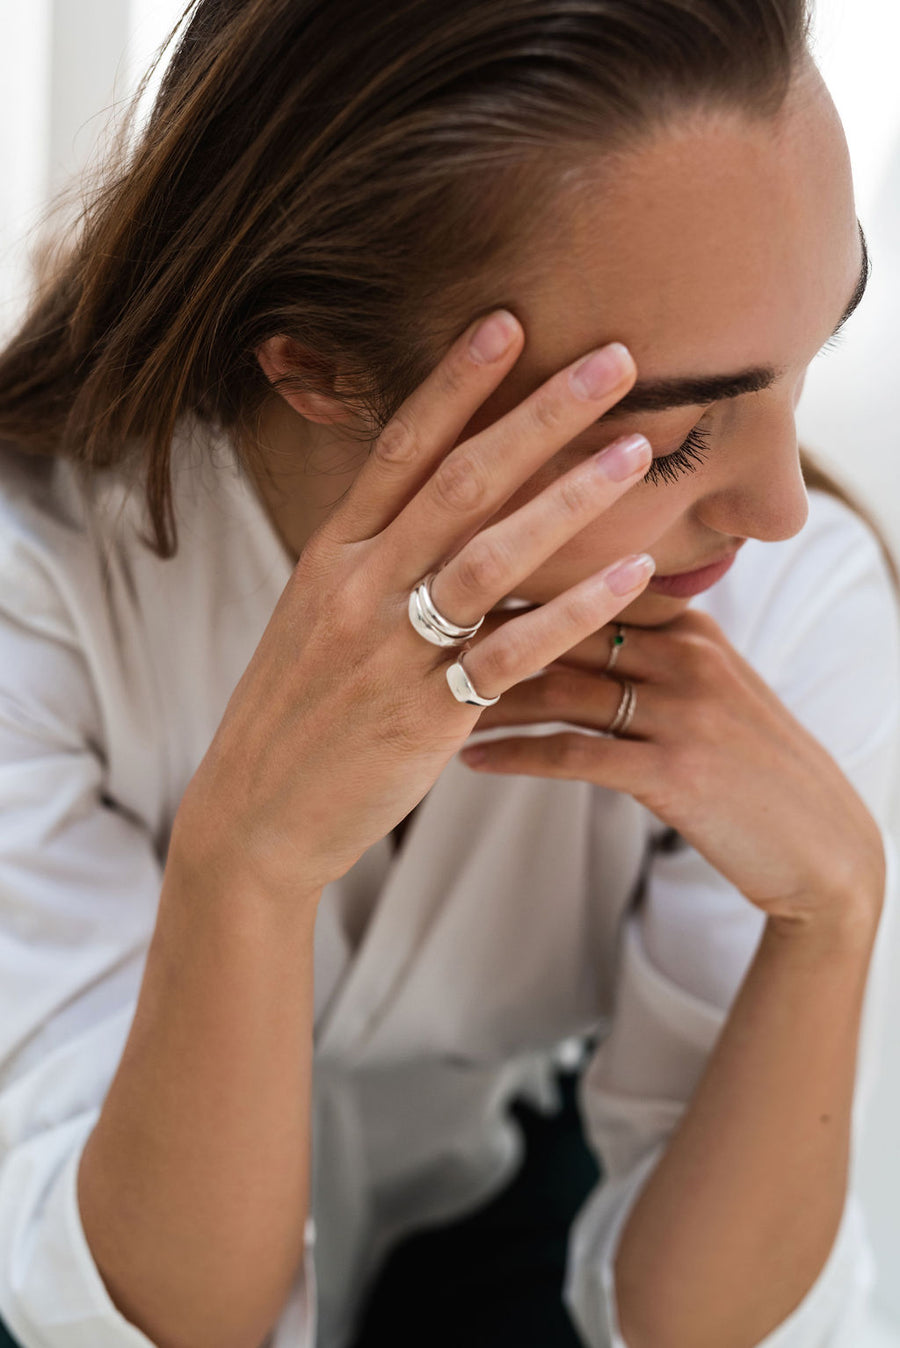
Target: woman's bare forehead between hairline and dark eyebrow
<point>720,243</point>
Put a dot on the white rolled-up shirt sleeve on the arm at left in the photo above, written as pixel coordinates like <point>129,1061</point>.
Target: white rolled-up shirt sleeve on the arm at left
<point>80,881</point>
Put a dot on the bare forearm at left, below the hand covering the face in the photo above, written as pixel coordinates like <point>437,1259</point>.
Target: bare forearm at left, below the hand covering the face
<point>195,1184</point>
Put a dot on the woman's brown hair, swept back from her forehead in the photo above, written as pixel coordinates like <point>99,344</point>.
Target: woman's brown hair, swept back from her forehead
<point>351,176</point>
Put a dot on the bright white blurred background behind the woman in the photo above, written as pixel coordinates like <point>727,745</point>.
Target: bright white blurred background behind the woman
<point>65,63</point>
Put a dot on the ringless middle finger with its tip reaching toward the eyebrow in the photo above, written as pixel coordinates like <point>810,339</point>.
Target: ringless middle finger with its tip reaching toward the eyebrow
<point>475,479</point>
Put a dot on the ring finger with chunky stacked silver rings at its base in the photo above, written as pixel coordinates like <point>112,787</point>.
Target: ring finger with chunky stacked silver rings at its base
<point>501,557</point>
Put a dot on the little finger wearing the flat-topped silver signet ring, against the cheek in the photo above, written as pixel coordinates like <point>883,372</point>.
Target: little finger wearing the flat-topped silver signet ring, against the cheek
<point>536,640</point>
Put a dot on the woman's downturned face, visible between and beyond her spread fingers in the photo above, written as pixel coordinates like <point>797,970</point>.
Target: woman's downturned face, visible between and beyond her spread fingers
<point>724,246</point>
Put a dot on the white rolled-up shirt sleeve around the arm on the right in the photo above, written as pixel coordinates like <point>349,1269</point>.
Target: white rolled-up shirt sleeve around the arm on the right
<point>833,656</point>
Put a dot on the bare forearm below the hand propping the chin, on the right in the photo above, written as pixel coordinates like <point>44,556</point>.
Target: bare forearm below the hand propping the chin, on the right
<point>739,1218</point>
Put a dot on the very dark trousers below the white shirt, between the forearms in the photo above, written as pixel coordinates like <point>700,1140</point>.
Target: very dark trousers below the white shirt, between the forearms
<point>494,1279</point>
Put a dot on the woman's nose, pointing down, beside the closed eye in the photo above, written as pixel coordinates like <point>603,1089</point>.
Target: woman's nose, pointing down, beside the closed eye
<point>761,490</point>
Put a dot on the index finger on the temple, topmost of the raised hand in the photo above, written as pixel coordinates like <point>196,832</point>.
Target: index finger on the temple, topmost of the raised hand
<point>428,425</point>
